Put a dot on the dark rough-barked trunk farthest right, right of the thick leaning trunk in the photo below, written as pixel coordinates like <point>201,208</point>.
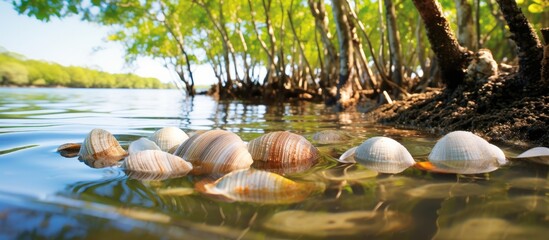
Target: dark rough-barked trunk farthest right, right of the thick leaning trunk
<point>529,48</point>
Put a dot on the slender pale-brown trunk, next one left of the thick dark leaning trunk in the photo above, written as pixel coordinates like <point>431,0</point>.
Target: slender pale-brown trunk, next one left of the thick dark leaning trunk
<point>394,46</point>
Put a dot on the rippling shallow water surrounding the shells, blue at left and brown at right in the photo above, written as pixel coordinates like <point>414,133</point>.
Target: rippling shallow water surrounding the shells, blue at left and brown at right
<point>43,194</point>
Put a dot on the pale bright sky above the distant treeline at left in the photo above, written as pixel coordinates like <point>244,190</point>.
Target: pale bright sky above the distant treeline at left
<point>72,42</point>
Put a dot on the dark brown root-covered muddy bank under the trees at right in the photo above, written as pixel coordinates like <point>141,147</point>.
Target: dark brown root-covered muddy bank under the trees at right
<point>498,110</point>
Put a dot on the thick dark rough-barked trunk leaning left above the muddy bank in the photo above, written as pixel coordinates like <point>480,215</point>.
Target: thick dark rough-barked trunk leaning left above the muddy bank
<point>453,59</point>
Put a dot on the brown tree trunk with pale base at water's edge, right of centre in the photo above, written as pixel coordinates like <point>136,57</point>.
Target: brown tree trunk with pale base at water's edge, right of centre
<point>344,96</point>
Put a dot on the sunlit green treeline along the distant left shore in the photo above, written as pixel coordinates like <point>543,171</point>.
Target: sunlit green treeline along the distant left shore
<point>15,70</point>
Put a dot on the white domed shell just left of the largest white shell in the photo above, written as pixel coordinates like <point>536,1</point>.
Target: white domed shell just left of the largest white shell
<point>384,155</point>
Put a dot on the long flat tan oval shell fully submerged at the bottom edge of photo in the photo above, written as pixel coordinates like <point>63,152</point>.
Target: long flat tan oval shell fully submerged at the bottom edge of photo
<point>333,224</point>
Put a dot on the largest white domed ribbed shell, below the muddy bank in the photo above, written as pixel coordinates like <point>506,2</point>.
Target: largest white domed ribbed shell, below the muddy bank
<point>465,153</point>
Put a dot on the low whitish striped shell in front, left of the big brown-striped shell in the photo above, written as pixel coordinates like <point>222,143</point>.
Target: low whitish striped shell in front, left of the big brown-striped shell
<point>155,164</point>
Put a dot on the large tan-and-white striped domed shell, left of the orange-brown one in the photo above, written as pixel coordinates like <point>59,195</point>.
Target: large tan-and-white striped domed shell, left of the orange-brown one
<point>215,151</point>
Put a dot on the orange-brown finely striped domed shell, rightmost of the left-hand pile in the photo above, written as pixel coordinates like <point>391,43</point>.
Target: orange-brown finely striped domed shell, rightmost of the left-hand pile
<point>283,149</point>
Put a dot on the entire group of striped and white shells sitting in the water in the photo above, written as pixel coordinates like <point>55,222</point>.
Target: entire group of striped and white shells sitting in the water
<point>239,168</point>
